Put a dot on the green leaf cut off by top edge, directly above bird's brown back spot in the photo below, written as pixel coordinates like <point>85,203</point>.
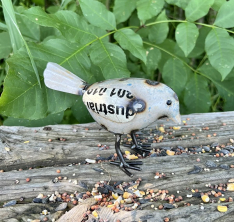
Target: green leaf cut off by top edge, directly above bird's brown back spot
<point>147,9</point>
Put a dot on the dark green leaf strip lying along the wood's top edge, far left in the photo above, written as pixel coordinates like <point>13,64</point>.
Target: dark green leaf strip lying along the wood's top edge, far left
<point>51,119</point>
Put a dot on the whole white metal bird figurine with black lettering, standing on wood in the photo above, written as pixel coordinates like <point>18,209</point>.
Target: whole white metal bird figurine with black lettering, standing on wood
<point>121,106</point>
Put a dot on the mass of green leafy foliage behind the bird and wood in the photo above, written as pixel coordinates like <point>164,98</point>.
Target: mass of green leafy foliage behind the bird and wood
<point>187,44</point>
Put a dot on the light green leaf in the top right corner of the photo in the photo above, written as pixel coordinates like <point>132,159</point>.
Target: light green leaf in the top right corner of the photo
<point>225,17</point>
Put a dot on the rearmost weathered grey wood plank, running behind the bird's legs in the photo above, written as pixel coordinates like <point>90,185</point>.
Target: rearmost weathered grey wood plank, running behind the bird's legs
<point>82,140</point>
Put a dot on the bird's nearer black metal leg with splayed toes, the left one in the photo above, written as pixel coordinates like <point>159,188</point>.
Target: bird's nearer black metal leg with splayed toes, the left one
<point>124,165</point>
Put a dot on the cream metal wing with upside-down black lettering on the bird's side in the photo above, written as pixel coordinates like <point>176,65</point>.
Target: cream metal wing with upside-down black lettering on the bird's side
<point>115,104</point>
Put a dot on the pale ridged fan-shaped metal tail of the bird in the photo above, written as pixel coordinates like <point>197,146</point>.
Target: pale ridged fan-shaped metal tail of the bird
<point>60,79</point>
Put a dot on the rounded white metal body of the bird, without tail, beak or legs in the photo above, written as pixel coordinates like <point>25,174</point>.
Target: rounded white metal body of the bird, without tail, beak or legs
<point>111,103</point>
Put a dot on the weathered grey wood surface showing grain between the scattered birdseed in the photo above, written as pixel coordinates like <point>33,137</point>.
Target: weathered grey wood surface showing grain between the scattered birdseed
<point>82,142</point>
